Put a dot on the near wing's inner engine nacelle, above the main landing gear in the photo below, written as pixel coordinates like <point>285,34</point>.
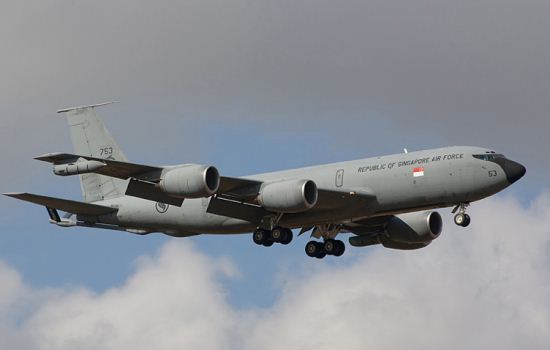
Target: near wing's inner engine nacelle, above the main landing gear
<point>292,196</point>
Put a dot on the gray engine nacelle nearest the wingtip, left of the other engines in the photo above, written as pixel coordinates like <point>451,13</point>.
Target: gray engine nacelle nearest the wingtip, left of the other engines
<point>191,181</point>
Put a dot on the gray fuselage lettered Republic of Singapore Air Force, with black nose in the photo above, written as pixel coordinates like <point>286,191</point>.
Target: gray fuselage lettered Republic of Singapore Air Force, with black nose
<point>404,182</point>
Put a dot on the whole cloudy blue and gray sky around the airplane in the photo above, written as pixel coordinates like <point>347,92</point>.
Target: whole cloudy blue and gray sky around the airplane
<point>254,86</point>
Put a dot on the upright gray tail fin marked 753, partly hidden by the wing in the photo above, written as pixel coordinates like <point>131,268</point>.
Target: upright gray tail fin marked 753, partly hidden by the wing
<point>91,138</point>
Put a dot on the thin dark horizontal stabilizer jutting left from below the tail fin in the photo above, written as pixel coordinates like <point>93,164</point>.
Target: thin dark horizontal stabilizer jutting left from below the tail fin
<point>65,205</point>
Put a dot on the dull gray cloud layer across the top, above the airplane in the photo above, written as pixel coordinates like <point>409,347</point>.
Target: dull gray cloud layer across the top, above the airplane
<point>469,72</point>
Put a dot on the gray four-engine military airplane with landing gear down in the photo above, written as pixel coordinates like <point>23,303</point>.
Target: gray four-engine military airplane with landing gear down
<point>387,200</point>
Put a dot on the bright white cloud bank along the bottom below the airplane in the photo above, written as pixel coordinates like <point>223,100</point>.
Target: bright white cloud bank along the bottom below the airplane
<point>487,286</point>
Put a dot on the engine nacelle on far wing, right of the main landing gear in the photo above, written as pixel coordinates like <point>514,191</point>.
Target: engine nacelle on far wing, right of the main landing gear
<point>419,227</point>
